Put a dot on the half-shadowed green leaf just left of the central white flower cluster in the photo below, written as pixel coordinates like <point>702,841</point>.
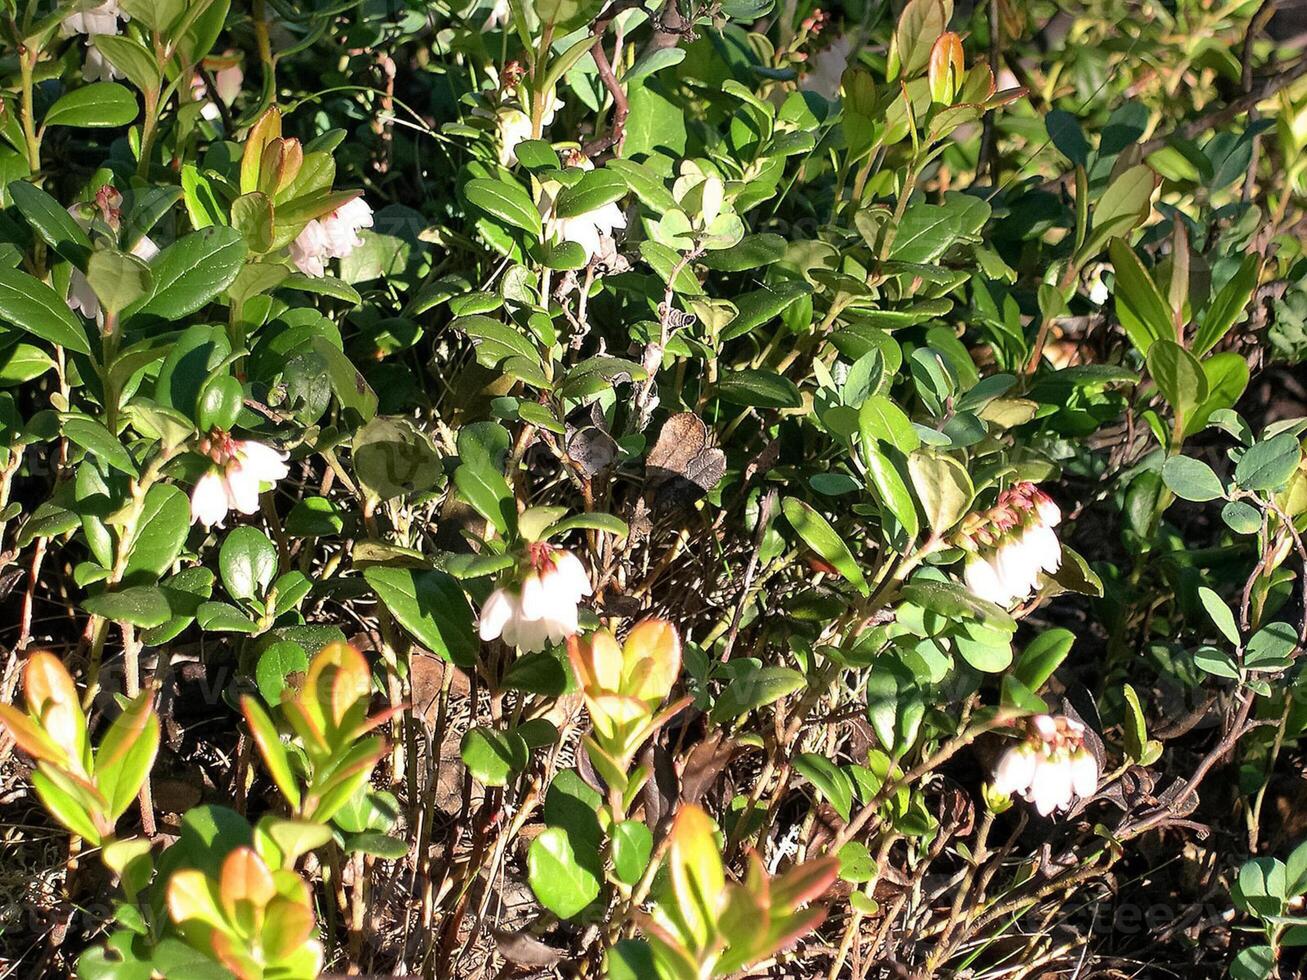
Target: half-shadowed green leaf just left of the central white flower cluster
<point>432,607</point>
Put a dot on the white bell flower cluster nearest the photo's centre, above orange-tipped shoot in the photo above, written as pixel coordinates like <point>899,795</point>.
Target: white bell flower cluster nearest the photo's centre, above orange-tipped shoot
<point>540,610</point>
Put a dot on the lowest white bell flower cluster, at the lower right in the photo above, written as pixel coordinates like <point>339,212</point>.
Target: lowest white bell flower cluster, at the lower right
<point>1050,768</point>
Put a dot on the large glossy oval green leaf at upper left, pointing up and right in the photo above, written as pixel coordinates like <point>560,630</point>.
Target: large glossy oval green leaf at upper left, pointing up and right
<point>191,272</point>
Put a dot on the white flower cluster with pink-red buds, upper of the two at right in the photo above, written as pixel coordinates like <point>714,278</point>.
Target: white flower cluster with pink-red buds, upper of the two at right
<point>1012,547</point>
